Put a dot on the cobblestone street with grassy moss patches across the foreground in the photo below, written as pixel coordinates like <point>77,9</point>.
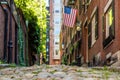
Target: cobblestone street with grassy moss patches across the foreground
<point>60,72</point>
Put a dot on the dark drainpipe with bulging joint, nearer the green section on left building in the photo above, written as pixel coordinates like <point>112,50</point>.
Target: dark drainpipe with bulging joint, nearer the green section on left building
<point>10,42</point>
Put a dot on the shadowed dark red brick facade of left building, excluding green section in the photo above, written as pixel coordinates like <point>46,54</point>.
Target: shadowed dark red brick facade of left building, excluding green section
<point>5,34</point>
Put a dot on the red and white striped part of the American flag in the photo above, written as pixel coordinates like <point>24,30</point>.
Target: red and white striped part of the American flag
<point>69,19</point>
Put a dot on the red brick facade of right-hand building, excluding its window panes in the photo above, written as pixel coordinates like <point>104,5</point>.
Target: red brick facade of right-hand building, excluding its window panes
<point>99,48</point>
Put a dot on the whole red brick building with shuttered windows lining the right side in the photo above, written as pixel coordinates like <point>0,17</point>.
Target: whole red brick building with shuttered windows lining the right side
<point>94,39</point>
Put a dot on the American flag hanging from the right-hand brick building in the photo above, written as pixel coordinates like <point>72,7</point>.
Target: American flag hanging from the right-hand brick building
<point>69,16</point>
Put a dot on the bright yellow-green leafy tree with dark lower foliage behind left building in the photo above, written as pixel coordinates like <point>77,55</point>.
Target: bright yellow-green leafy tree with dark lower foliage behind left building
<point>35,12</point>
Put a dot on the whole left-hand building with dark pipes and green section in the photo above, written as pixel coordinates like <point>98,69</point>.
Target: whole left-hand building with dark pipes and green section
<point>13,34</point>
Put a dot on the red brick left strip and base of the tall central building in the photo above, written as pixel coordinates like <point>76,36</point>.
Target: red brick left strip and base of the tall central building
<point>53,60</point>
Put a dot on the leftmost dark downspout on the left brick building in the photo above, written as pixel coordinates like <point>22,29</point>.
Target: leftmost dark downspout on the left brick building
<point>5,33</point>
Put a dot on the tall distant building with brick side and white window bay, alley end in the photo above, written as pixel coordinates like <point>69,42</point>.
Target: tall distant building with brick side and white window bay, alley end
<point>55,25</point>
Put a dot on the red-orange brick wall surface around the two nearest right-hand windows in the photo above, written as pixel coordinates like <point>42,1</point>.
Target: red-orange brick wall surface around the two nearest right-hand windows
<point>98,46</point>
